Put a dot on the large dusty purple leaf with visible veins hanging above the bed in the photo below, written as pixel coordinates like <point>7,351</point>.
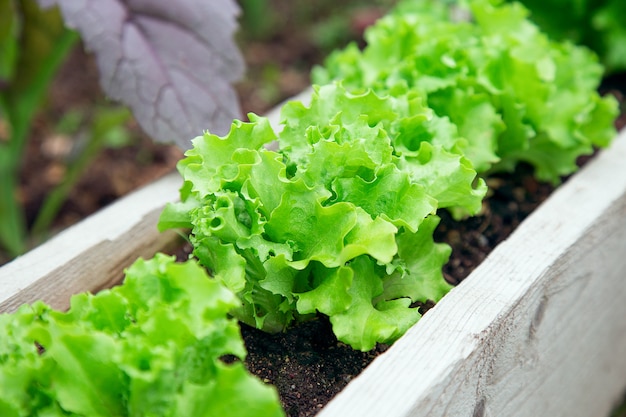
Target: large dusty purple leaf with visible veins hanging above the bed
<point>172,62</point>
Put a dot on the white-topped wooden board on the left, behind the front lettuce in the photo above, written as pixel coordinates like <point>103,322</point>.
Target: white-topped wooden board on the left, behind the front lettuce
<point>92,254</point>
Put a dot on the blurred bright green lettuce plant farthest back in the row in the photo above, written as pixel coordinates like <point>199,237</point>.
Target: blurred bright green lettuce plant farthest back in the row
<point>514,95</point>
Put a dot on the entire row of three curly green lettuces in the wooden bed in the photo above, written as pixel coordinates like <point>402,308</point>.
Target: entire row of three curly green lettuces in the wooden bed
<point>333,213</point>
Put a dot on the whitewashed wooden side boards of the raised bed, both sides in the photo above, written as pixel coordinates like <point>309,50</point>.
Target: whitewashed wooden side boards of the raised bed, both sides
<point>533,330</point>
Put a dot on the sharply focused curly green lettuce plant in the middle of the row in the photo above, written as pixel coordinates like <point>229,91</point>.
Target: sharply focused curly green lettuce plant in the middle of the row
<point>338,221</point>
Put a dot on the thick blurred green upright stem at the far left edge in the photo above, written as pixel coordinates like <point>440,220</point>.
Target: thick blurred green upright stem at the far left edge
<point>44,46</point>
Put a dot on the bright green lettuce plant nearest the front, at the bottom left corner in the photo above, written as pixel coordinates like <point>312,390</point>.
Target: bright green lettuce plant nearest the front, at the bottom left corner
<point>149,347</point>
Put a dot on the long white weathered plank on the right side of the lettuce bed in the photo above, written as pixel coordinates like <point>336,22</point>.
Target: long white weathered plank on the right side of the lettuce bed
<point>539,328</point>
